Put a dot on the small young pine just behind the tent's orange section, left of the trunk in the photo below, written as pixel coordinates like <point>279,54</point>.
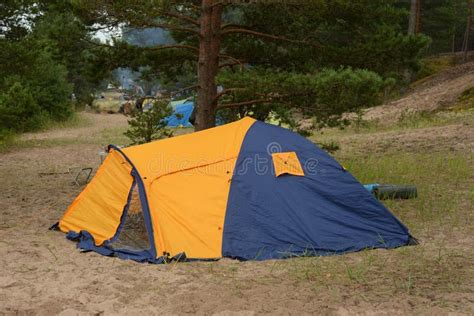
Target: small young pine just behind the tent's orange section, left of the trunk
<point>150,125</point>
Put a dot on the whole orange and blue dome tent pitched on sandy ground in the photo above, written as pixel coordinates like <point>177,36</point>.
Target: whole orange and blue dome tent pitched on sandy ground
<point>246,190</point>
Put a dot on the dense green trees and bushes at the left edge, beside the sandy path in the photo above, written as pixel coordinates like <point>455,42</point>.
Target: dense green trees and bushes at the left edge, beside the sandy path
<point>45,56</point>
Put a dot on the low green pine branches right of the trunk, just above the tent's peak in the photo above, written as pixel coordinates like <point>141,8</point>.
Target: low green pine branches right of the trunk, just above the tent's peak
<point>325,94</point>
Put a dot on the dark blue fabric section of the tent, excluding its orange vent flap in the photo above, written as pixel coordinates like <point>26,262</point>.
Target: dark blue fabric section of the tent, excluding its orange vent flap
<point>327,211</point>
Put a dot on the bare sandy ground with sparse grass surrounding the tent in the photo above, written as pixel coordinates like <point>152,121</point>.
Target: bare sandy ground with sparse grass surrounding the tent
<point>43,273</point>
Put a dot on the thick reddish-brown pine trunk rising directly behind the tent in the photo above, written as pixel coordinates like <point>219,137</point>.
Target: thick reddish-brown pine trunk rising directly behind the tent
<point>208,64</point>
